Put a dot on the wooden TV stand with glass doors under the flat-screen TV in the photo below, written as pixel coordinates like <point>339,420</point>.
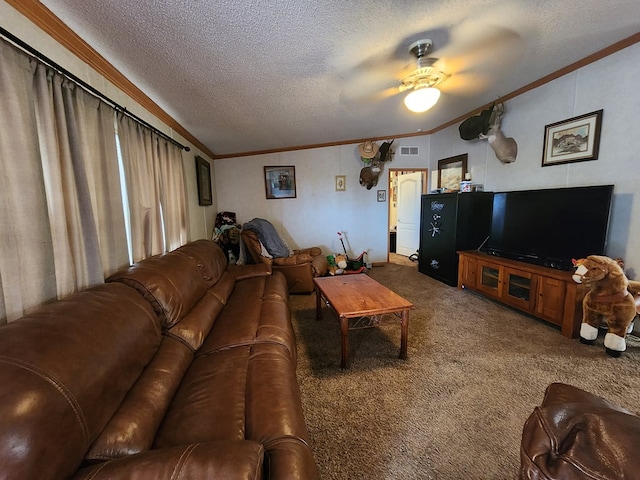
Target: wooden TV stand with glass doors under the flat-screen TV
<point>543,292</point>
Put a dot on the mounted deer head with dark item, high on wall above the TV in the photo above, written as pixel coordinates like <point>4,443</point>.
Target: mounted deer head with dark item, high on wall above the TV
<point>486,126</point>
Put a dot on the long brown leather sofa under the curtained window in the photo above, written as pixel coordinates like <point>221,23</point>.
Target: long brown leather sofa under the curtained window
<point>177,367</point>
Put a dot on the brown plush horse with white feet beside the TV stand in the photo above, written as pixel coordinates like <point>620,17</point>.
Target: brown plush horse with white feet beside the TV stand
<point>611,299</point>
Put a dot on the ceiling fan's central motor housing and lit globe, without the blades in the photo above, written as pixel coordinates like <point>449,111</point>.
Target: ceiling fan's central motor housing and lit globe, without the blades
<point>423,80</point>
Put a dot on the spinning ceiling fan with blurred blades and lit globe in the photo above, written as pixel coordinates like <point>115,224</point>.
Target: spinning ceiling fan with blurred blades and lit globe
<point>470,58</point>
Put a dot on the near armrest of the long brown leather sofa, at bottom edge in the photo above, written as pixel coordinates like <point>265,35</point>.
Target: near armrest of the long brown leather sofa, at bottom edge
<point>241,459</point>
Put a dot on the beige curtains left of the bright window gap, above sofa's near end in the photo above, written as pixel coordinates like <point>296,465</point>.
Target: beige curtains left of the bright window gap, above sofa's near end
<point>61,215</point>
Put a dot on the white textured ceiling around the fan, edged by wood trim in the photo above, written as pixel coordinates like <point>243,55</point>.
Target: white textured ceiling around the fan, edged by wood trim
<point>257,75</point>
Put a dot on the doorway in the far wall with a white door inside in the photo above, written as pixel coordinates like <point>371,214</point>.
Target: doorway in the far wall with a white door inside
<point>406,186</point>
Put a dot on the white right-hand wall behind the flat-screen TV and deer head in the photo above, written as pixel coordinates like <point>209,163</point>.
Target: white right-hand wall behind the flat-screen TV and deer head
<point>609,84</point>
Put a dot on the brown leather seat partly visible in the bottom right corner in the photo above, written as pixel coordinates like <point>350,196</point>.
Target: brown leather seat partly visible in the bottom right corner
<point>575,434</point>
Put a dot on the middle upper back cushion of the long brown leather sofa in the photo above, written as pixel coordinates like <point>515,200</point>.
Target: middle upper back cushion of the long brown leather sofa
<point>172,283</point>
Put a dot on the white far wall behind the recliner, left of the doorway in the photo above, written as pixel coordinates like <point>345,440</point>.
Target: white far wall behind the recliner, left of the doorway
<point>318,212</point>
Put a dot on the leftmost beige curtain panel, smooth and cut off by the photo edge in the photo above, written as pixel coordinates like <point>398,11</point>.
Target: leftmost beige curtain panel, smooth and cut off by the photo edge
<point>27,274</point>
